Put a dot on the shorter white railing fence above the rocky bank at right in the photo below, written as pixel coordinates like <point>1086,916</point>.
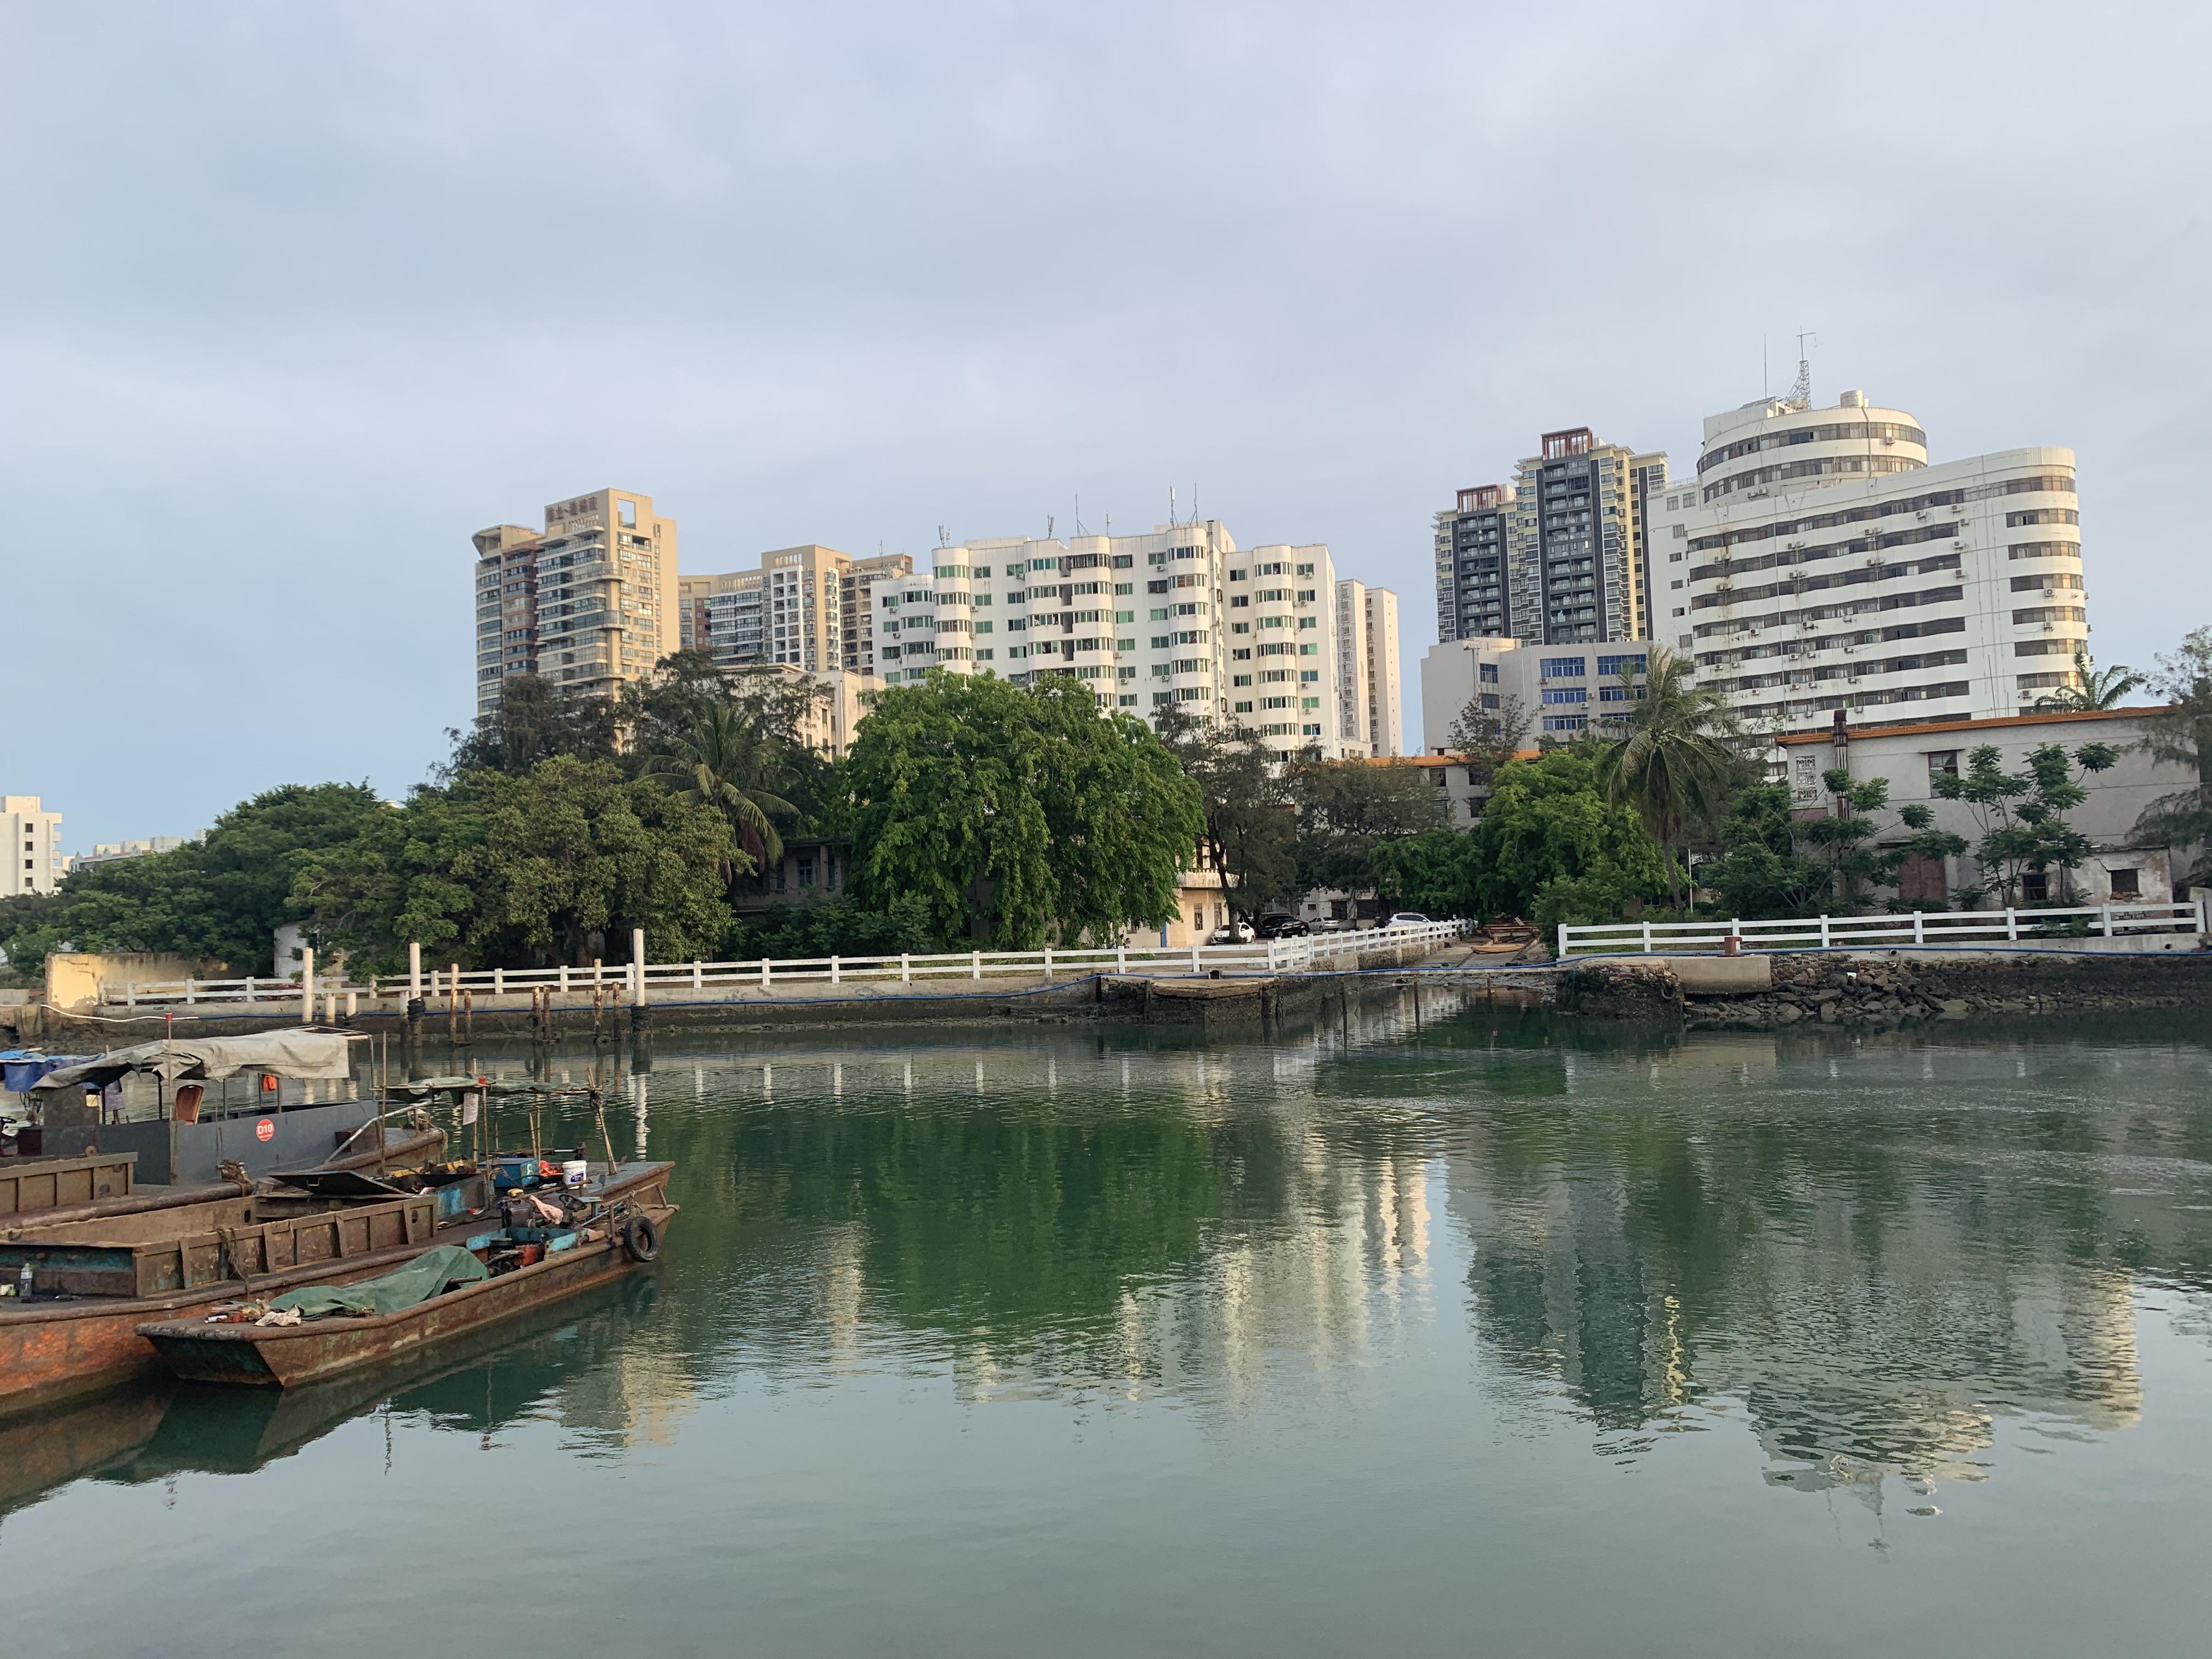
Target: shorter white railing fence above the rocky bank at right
<point>1919,928</point>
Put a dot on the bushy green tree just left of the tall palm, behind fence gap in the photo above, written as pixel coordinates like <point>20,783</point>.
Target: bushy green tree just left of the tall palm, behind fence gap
<point>1552,824</point>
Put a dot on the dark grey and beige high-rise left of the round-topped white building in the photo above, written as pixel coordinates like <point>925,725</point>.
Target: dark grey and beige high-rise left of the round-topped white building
<point>1558,554</point>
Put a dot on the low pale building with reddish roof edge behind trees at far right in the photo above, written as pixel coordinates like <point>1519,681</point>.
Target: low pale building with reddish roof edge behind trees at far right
<point>1910,758</point>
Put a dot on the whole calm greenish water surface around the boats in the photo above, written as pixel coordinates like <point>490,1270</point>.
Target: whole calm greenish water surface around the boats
<point>1483,1337</point>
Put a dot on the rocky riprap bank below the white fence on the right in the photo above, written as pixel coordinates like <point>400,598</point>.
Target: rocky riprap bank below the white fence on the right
<point>1881,988</point>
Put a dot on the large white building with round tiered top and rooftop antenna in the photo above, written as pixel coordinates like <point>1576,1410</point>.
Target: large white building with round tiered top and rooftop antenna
<point>1822,563</point>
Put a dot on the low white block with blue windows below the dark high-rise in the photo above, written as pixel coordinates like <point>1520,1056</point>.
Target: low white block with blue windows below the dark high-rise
<point>1561,691</point>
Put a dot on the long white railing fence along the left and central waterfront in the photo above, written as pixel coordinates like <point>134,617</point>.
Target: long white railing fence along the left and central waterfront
<point>669,981</point>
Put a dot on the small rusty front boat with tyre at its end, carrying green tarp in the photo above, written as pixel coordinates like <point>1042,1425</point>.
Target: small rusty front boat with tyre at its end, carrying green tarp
<point>627,1215</point>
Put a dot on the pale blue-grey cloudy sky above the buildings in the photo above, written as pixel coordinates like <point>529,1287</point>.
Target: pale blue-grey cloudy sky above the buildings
<point>300,298</point>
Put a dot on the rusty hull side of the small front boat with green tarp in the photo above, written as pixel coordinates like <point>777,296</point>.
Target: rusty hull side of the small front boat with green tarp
<point>324,1348</point>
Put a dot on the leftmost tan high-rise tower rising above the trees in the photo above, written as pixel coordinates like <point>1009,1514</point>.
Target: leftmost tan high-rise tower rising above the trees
<point>587,603</point>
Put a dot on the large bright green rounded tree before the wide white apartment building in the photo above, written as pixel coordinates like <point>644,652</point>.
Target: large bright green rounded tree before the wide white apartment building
<point>1016,817</point>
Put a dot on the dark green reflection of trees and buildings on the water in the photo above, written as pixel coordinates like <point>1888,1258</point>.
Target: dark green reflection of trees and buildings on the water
<point>1864,1253</point>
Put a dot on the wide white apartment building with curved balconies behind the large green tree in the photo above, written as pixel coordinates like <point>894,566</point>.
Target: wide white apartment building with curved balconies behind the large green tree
<point>1173,618</point>
